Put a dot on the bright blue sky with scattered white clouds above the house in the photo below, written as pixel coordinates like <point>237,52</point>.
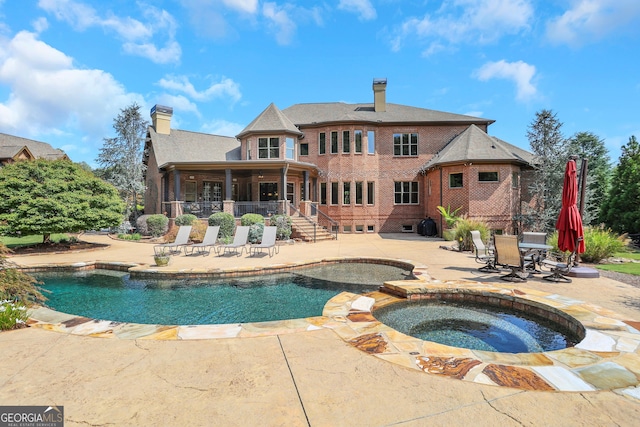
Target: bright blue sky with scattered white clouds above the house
<point>69,66</point>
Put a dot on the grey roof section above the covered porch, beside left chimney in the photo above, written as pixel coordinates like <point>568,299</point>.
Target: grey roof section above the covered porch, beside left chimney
<point>185,146</point>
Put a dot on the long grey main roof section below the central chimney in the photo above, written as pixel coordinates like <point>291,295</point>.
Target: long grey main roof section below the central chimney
<point>312,114</point>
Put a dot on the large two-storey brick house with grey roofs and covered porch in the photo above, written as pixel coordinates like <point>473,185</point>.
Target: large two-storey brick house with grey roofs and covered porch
<point>371,167</point>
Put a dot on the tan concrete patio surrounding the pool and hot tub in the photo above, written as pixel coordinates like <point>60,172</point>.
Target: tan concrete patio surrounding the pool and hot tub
<point>304,378</point>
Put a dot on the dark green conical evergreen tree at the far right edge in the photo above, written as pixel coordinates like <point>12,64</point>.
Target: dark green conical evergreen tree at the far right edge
<point>620,210</point>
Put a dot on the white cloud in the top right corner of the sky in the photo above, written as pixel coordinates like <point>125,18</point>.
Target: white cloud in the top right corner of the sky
<point>593,19</point>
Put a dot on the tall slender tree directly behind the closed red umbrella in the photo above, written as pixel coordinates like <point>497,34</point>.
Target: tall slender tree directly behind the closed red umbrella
<point>551,151</point>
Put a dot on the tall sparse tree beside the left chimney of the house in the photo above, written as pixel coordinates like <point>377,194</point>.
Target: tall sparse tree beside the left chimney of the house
<point>121,156</point>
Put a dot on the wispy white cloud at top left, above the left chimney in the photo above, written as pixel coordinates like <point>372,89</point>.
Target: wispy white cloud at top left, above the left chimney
<point>138,37</point>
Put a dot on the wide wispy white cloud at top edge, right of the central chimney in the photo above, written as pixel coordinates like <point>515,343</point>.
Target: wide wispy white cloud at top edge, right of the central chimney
<point>466,21</point>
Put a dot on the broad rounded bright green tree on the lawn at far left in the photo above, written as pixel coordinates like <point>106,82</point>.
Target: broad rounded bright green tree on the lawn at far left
<point>44,197</point>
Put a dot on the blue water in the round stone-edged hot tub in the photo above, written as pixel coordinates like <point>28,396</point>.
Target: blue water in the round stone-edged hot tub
<point>476,327</point>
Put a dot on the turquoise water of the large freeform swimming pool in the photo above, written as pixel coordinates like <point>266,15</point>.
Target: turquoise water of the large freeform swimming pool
<point>109,295</point>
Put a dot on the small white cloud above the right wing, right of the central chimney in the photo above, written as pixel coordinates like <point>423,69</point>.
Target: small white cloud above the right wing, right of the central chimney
<point>519,72</point>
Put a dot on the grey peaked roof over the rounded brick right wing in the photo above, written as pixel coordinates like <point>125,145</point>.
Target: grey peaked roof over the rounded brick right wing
<point>475,145</point>
